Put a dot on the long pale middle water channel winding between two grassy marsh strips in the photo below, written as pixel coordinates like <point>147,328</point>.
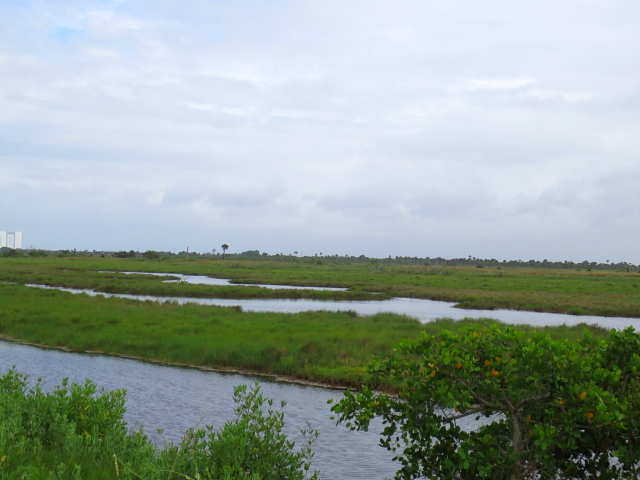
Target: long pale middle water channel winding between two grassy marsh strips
<point>422,309</point>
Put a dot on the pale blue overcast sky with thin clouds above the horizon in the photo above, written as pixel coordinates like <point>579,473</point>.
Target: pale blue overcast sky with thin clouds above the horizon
<point>497,129</point>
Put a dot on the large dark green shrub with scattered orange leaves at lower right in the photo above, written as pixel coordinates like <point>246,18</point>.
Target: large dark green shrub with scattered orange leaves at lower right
<point>550,409</point>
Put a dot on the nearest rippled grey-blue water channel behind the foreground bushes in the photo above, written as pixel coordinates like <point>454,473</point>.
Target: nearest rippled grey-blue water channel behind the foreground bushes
<point>175,399</point>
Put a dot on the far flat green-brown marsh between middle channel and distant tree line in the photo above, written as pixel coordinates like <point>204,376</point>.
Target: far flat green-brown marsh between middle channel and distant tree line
<point>562,291</point>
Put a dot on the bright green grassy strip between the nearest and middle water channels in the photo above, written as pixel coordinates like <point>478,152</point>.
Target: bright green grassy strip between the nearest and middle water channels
<point>328,347</point>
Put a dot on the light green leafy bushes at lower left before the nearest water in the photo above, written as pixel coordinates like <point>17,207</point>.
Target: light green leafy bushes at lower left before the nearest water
<point>77,432</point>
